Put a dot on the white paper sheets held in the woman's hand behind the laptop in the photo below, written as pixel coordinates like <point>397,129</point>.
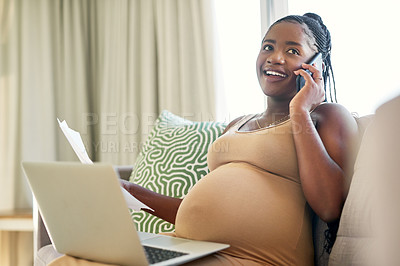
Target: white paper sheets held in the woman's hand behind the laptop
<point>74,138</point>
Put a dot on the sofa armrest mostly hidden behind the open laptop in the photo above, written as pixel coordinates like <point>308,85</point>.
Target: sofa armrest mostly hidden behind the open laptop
<point>42,237</point>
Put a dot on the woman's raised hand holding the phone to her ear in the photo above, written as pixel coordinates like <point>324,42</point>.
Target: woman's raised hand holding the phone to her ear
<point>313,93</point>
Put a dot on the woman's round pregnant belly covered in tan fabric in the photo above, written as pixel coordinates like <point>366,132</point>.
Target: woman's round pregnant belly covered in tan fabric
<point>239,204</point>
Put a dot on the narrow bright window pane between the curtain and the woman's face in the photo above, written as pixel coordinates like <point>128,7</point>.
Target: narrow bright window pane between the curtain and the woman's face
<point>239,34</point>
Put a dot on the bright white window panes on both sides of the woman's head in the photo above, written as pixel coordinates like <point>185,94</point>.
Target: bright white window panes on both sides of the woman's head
<point>364,53</point>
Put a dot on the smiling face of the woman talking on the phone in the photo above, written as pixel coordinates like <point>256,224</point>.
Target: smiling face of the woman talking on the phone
<point>285,47</point>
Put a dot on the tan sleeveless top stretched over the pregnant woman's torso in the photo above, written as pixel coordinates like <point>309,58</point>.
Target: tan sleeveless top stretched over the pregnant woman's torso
<point>252,199</point>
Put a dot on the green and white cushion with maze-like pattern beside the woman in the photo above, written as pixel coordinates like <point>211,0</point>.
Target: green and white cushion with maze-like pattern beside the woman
<point>172,160</point>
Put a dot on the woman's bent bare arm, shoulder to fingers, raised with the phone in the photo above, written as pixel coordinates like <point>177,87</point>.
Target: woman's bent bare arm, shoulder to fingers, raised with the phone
<point>325,151</point>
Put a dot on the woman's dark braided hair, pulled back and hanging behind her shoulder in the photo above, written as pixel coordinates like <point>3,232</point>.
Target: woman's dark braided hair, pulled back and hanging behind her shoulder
<point>321,38</point>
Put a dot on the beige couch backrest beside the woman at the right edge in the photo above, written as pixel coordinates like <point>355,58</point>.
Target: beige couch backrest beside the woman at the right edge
<point>369,231</point>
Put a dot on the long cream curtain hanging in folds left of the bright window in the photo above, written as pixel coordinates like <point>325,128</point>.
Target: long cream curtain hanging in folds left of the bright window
<point>108,67</point>
